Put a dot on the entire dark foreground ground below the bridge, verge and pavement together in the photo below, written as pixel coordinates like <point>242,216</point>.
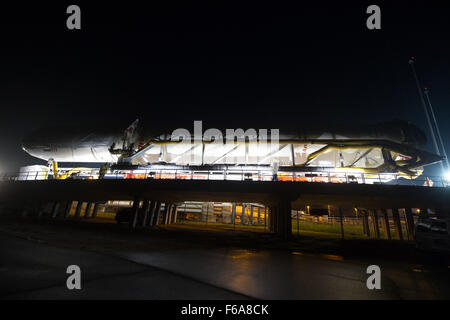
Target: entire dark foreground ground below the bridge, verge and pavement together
<point>182,262</point>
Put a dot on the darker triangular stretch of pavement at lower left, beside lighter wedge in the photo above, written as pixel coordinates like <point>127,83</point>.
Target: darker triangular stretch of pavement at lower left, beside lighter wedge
<point>32,270</point>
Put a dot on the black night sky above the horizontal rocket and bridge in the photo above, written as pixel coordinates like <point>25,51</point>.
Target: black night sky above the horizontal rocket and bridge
<point>262,65</point>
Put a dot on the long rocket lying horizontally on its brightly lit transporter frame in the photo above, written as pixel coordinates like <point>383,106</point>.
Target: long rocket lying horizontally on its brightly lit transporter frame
<point>395,147</point>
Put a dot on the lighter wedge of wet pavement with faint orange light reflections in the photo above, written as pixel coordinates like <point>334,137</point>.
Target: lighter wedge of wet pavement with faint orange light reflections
<point>271,274</point>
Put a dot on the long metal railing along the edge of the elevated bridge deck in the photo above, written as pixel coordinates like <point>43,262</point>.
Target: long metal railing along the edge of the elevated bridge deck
<point>241,175</point>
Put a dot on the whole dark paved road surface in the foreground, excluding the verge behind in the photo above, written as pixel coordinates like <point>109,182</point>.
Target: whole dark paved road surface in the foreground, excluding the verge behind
<point>33,270</point>
